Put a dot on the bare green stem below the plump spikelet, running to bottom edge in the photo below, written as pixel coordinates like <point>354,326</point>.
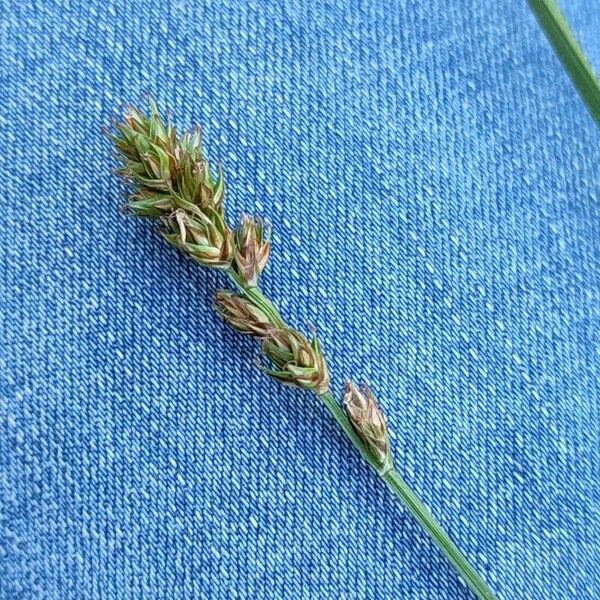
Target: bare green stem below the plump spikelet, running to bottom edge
<point>415,506</point>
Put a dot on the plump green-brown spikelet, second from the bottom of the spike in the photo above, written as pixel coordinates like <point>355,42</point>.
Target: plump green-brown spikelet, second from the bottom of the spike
<point>296,361</point>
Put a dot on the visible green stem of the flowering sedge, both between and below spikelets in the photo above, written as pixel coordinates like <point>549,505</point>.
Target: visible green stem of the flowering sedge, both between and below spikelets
<point>389,474</point>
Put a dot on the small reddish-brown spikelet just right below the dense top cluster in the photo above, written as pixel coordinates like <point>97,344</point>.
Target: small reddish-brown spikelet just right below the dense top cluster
<point>252,247</point>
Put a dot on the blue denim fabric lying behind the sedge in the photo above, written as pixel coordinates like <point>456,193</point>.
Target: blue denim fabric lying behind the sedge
<point>432,178</point>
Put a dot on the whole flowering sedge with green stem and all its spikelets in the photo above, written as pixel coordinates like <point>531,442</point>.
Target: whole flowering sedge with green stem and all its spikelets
<point>170,181</point>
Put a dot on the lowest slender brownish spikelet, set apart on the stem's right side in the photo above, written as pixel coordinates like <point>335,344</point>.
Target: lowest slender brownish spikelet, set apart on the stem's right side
<point>368,421</point>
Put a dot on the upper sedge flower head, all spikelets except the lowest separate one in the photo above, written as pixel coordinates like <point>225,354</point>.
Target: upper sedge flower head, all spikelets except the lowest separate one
<point>171,182</point>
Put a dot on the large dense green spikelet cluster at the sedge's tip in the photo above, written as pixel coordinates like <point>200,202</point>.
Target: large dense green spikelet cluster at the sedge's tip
<point>172,182</point>
